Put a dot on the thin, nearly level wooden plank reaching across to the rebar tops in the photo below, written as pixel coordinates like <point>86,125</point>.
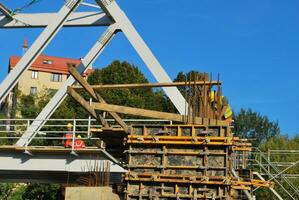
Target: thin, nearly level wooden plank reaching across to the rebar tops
<point>143,85</point>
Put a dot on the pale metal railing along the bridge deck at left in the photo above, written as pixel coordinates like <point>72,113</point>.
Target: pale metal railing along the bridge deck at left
<point>55,129</point>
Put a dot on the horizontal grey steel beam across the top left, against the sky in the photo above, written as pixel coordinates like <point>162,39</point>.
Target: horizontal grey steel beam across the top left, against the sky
<point>40,20</point>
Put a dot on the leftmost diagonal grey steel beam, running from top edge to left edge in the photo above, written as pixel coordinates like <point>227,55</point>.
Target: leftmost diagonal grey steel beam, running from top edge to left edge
<point>37,47</point>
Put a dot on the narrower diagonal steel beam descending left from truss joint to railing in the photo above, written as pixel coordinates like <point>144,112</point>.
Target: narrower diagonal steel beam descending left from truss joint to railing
<point>60,95</point>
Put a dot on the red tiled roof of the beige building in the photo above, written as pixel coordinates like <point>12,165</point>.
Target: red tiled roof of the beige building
<point>58,65</point>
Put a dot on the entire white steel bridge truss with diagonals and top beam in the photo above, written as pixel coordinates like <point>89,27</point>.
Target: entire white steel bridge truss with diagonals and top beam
<point>113,16</point>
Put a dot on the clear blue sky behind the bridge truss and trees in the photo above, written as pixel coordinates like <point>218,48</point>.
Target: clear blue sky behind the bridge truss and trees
<point>253,44</point>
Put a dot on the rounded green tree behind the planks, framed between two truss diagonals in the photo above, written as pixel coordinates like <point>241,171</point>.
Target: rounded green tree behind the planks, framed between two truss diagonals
<point>123,72</point>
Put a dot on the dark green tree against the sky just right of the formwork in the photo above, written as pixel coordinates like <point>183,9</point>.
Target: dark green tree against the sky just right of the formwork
<point>253,125</point>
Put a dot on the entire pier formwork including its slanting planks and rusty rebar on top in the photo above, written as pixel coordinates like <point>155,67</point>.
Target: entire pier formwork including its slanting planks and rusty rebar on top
<point>175,161</point>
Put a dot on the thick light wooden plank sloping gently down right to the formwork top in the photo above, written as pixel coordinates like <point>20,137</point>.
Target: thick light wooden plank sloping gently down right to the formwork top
<point>152,114</point>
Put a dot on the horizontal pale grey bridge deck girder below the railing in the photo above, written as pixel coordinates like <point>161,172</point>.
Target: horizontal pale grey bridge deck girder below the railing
<point>54,161</point>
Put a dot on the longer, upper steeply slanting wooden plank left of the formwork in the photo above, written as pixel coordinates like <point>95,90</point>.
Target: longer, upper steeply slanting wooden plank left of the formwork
<point>96,96</point>
